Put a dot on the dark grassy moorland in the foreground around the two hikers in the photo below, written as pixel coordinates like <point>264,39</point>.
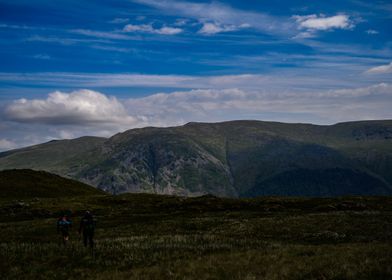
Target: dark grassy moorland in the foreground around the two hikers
<point>145,236</point>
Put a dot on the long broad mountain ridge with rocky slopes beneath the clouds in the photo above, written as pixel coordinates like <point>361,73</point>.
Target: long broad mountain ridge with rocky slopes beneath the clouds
<point>234,159</point>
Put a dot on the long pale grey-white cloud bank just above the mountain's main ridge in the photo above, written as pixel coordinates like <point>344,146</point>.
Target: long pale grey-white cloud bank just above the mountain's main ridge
<point>227,104</point>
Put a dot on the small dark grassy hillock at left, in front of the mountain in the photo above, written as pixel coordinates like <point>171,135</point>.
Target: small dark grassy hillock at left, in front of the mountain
<point>26,183</point>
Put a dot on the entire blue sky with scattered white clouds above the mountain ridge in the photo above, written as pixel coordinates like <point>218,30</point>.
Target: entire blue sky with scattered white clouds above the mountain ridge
<point>70,68</point>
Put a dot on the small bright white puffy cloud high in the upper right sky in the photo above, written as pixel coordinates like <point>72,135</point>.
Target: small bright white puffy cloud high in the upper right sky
<point>321,22</point>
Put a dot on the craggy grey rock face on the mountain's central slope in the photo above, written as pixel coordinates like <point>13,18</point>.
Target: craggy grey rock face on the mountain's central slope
<point>159,161</point>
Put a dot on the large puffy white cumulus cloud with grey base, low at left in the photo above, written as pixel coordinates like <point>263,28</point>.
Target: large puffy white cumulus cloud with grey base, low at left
<point>76,108</point>
